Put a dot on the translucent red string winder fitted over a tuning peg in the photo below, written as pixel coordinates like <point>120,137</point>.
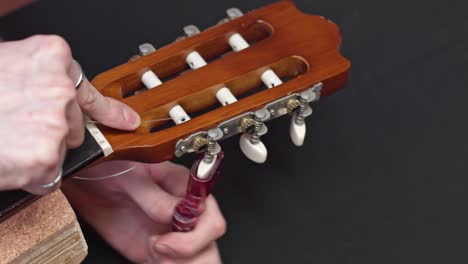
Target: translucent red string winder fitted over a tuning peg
<point>188,210</point>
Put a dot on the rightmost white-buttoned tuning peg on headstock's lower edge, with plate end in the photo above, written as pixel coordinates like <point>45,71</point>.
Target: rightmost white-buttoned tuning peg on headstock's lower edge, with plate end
<point>301,109</point>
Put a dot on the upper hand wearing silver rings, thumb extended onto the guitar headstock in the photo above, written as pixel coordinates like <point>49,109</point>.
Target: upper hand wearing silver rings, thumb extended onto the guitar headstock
<point>41,111</point>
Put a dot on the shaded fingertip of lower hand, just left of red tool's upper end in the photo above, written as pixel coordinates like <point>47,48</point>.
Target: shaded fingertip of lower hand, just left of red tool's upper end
<point>173,178</point>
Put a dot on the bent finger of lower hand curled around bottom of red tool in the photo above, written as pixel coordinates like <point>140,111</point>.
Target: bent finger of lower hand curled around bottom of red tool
<point>211,225</point>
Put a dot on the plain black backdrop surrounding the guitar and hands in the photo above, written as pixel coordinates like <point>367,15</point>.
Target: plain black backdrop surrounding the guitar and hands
<point>382,177</point>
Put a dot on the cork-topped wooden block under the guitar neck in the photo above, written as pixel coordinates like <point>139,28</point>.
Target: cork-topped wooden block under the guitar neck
<point>46,231</point>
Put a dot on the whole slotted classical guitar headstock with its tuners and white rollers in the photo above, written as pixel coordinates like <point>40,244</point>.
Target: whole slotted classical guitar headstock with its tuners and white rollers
<point>226,80</point>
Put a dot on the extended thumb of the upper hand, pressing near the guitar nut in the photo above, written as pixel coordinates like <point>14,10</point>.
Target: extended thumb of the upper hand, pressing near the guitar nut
<point>105,110</point>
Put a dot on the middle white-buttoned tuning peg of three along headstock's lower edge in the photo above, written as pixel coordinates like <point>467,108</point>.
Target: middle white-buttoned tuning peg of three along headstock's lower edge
<point>250,142</point>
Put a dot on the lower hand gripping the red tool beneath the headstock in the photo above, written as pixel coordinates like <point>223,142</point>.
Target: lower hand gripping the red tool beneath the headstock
<point>133,212</point>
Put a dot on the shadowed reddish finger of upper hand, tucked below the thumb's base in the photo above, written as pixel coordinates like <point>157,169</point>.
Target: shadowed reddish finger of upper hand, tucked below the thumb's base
<point>74,117</point>
